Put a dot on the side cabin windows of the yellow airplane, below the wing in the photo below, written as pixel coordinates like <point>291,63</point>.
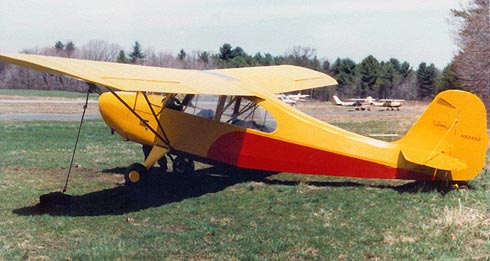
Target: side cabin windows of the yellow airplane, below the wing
<point>239,111</point>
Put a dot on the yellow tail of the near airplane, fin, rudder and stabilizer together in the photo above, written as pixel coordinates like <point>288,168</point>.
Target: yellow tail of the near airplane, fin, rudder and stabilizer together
<point>450,135</point>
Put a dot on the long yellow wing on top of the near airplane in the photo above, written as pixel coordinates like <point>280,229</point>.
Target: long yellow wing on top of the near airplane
<point>241,81</point>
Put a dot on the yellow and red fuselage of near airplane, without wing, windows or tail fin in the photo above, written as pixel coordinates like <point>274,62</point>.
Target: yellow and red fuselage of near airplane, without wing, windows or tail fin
<point>298,143</point>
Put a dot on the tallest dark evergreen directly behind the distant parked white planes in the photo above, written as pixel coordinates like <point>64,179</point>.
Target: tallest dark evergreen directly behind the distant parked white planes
<point>369,71</point>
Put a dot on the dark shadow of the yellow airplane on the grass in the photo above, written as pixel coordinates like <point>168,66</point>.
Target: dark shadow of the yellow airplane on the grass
<point>169,188</point>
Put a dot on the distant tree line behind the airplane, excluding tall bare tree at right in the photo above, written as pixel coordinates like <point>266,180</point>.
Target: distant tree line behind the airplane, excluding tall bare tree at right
<point>370,77</point>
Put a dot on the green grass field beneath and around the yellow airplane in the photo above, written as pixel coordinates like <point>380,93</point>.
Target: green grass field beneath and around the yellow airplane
<point>219,215</point>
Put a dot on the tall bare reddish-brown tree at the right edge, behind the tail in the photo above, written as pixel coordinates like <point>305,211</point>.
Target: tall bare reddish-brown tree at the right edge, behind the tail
<point>472,63</point>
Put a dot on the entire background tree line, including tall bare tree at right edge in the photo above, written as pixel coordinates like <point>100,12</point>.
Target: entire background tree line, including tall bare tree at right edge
<point>392,78</point>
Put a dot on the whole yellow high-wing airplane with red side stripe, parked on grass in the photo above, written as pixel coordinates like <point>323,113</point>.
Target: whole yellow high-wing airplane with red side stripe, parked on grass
<point>233,117</point>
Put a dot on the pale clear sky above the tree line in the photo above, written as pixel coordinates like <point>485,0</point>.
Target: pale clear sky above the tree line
<point>409,30</point>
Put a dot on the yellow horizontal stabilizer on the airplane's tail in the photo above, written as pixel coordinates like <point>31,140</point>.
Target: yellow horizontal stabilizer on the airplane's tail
<point>437,160</point>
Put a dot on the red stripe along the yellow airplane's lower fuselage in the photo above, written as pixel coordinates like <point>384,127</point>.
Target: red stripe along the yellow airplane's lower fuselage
<point>248,150</point>
